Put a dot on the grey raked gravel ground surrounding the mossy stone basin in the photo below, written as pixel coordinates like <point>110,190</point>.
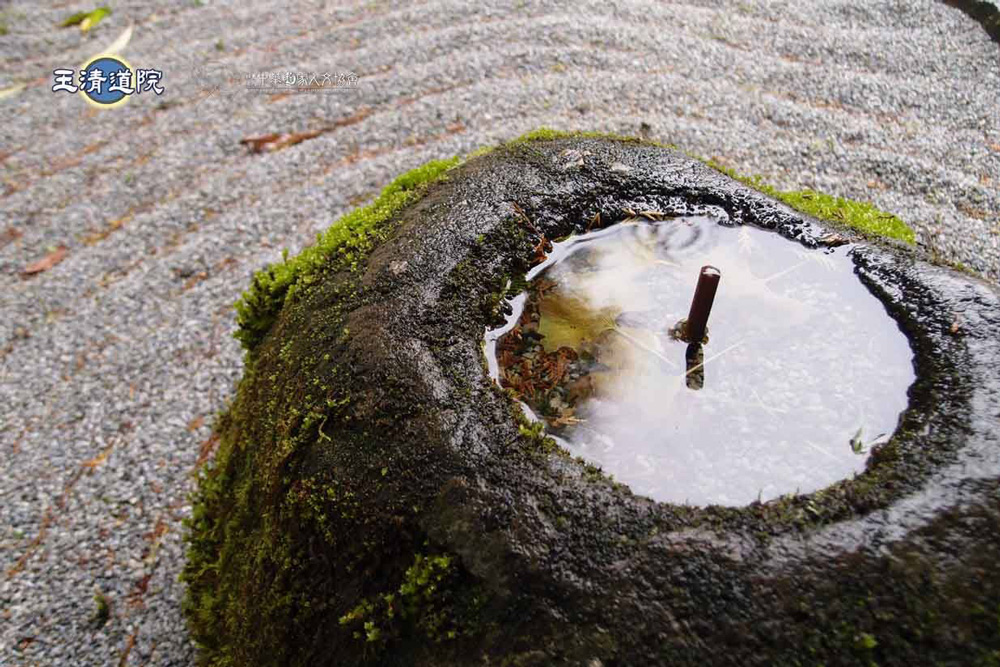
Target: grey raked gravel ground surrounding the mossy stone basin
<point>114,361</point>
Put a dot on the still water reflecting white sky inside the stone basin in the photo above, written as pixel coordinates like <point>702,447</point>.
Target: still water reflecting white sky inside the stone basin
<point>803,372</point>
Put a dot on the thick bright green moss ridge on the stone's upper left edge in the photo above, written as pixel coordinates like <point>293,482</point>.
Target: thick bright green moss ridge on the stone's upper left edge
<point>350,236</point>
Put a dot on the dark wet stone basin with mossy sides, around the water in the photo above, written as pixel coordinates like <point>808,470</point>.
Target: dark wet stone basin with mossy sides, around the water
<point>377,500</point>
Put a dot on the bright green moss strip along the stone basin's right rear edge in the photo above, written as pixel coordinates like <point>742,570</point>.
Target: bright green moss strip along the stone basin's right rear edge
<point>861,216</point>
